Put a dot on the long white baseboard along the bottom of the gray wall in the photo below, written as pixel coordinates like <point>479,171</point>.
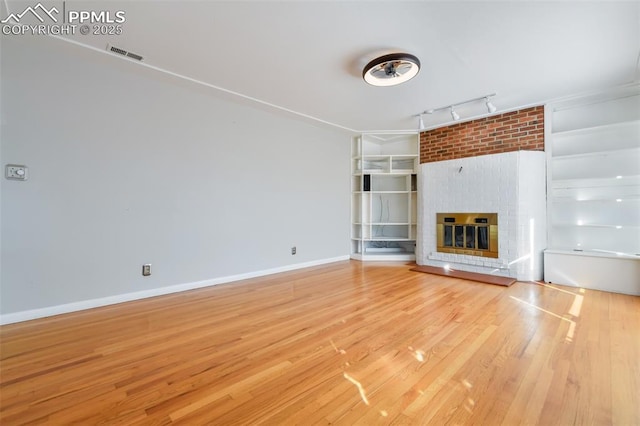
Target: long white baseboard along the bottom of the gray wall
<point>127,297</point>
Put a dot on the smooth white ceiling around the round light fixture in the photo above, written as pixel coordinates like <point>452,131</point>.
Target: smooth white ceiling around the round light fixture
<point>307,57</point>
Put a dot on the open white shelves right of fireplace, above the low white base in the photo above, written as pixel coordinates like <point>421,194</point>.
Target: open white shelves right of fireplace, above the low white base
<point>594,175</point>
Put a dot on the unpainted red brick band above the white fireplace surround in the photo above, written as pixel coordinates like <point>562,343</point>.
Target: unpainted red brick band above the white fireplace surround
<point>511,131</point>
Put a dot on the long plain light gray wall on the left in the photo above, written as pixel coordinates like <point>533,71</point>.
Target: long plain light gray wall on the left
<point>130,166</point>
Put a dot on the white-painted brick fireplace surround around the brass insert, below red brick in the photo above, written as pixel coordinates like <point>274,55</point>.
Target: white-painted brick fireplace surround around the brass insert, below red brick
<point>511,184</point>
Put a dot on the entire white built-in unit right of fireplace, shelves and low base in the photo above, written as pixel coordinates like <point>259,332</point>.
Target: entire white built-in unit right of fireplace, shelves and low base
<point>593,190</point>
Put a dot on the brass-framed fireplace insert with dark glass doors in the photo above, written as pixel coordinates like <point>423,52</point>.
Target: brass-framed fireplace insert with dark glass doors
<point>473,234</point>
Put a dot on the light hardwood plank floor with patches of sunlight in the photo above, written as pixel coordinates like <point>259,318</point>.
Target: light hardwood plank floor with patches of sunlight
<point>346,343</point>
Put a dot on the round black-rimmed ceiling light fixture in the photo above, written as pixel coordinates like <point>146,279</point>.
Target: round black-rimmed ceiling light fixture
<point>391,69</point>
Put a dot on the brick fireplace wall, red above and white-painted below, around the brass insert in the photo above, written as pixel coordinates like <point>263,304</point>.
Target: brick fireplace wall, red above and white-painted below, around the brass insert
<point>496,164</point>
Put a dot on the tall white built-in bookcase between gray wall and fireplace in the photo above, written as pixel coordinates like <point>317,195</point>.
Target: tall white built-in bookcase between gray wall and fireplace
<point>384,196</point>
